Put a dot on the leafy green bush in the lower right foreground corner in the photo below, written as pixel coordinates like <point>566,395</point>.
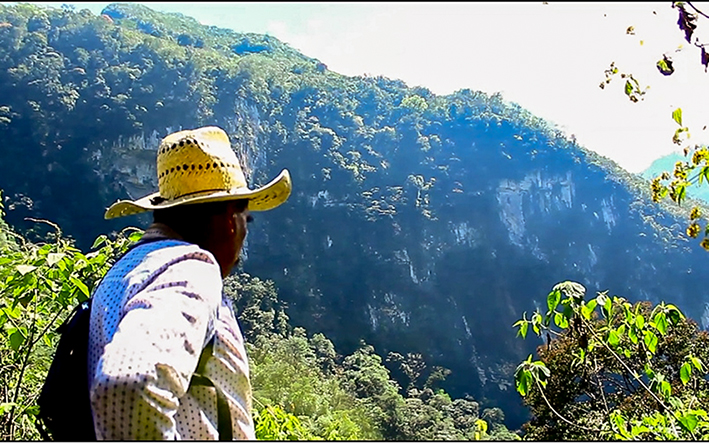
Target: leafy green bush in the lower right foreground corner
<point>613,370</point>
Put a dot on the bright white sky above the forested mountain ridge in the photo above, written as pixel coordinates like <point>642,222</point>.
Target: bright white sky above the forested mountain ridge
<point>548,57</point>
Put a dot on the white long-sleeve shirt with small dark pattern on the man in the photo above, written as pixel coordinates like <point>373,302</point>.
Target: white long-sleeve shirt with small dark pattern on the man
<point>150,319</point>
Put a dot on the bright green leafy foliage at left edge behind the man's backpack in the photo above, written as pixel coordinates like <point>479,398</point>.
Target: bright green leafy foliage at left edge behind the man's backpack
<point>38,285</point>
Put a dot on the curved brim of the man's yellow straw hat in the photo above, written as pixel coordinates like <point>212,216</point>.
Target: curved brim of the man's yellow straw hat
<point>264,198</point>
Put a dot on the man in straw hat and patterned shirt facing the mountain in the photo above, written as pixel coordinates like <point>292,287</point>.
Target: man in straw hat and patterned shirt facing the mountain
<point>159,307</point>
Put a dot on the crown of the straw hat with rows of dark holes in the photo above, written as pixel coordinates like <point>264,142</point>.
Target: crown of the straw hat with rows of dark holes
<point>199,160</point>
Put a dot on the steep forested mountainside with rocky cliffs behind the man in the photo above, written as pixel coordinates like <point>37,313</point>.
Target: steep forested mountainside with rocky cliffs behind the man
<point>418,223</point>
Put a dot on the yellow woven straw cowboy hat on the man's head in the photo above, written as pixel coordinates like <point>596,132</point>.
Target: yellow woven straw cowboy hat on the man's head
<point>199,166</point>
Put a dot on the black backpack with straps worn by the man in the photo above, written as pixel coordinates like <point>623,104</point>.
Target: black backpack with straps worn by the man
<point>64,401</point>
